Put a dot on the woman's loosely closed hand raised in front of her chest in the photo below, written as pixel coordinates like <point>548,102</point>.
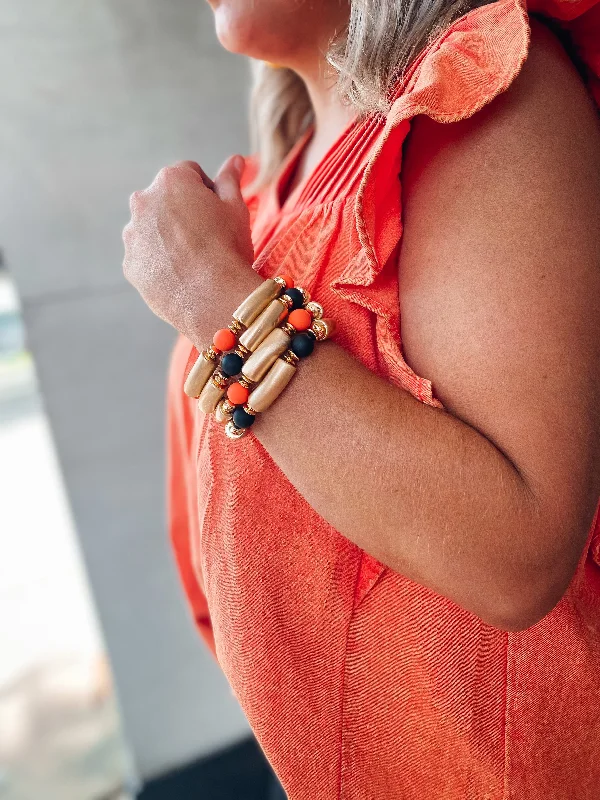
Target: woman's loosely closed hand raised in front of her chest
<point>185,232</point>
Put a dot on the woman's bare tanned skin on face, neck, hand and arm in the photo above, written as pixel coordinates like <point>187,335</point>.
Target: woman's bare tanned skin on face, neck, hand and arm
<point>490,502</point>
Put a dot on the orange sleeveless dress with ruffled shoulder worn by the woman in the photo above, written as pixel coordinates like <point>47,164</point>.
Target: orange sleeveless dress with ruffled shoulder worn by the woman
<point>359,683</point>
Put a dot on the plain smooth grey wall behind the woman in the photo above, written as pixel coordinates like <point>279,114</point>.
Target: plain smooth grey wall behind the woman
<point>95,98</point>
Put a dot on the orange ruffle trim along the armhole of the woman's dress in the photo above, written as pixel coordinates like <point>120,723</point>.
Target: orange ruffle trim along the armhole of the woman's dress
<point>475,59</point>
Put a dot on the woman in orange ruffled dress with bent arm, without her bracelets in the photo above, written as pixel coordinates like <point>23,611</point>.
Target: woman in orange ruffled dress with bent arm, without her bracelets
<point>398,567</point>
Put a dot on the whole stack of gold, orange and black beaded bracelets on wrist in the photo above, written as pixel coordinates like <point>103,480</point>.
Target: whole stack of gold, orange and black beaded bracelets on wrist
<point>270,332</point>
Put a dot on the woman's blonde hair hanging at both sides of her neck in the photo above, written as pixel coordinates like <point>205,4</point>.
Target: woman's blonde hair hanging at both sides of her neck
<point>381,40</point>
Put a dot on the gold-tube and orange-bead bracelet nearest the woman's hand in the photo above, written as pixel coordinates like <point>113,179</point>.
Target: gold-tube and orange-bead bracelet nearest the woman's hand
<point>227,338</point>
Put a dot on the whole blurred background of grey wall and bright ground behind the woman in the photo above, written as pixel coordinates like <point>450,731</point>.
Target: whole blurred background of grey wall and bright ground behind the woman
<point>106,691</point>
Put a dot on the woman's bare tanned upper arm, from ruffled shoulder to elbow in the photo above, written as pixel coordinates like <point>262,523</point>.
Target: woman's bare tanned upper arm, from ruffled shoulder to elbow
<point>499,272</point>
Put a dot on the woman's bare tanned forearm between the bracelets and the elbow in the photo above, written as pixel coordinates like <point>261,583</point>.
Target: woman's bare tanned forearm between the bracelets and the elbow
<point>415,487</point>
